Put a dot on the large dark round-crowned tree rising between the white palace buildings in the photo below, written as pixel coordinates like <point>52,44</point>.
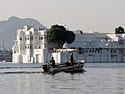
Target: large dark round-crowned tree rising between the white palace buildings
<point>58,34</point>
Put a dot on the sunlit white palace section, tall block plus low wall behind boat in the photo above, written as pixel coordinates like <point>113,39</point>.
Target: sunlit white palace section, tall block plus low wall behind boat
<point>31,47</point>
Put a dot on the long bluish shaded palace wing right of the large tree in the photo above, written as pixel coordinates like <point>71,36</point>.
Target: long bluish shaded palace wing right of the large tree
<point>100,47</point>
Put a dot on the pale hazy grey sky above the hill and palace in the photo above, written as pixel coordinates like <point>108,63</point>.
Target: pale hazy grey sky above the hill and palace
<point>86,15</point>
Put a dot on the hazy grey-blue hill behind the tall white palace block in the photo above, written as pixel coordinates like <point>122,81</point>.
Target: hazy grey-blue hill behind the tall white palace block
<point>8,29</point>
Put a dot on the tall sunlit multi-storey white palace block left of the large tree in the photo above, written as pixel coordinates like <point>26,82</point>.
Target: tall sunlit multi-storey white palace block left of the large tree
<point>27,47</point>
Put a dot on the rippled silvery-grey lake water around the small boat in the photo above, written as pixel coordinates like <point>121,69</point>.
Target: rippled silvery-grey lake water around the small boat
<point>99,78</point>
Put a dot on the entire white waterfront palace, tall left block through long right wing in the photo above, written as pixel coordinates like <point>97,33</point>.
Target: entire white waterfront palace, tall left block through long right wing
<point>31,46</point>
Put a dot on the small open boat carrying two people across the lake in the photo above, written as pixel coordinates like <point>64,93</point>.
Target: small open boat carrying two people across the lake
<point>65,67</point>
